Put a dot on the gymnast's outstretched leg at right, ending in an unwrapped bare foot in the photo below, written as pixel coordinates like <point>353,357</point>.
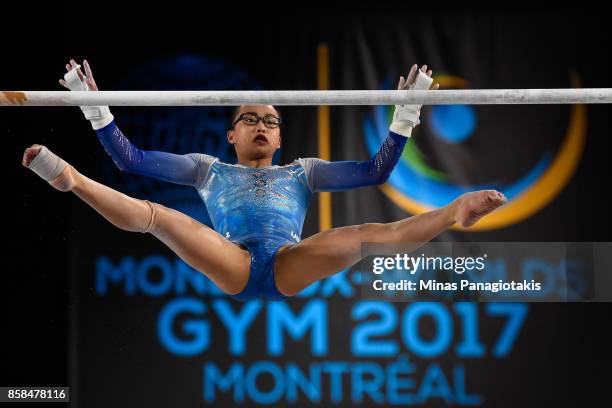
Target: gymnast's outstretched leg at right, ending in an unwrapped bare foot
<point>329,252</point>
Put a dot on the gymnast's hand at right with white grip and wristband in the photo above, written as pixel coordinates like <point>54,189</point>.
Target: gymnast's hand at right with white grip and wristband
<point>406,117</point>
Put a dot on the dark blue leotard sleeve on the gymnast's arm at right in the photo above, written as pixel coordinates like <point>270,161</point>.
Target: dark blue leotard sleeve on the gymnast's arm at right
<point>324,175</point>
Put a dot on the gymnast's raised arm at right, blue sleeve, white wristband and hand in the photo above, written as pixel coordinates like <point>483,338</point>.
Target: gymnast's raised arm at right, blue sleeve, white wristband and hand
<point>324,175</point>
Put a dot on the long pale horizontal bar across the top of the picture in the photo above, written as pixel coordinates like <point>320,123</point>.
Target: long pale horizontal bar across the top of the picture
<point>361,97</point>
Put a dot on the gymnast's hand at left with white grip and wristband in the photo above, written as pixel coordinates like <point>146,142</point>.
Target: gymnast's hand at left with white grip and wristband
<point>75,80</point>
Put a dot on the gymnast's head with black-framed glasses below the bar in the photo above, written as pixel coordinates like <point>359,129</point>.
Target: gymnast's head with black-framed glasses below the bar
<point>256,132</point>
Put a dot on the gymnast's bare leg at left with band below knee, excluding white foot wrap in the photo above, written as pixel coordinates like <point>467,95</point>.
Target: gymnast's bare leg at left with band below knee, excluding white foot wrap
<point>222,261</point>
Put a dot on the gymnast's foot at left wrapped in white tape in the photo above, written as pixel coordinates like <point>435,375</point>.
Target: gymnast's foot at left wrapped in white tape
<point>50,167</point>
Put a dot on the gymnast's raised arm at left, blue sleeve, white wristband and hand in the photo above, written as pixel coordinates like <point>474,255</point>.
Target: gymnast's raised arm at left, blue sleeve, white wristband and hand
<point>174,168</point>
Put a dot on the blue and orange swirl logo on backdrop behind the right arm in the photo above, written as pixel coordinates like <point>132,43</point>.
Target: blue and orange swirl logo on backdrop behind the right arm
<point>418,187</point>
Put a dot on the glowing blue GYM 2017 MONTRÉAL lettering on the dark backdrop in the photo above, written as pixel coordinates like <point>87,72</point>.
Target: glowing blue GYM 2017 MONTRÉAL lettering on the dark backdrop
<point>318,349</point>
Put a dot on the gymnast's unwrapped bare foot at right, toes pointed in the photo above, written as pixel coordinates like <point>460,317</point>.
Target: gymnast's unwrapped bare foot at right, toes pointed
<point>470,207</point>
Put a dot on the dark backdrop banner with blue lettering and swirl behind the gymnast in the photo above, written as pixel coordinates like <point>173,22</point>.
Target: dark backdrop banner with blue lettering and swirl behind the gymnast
<point>117,317</point>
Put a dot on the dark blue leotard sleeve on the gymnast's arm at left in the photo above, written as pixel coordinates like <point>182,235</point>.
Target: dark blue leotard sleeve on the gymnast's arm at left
<point>175,168</point>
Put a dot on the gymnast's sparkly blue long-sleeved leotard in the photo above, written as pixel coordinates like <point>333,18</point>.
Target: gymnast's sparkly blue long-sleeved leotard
<point>261,208</point>
